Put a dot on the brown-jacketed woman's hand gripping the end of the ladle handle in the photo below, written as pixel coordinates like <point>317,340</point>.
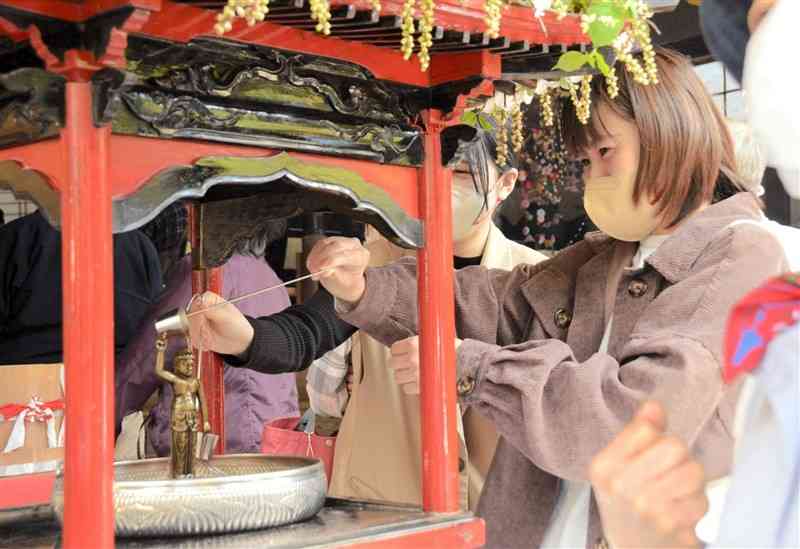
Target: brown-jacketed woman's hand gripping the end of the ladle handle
<point>343,261</point>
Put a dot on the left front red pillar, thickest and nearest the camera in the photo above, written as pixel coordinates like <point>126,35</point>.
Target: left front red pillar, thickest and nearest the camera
<point>88,319</point>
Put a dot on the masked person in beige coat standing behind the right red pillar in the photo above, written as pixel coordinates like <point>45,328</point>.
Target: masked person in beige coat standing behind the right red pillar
<point>384,400</point>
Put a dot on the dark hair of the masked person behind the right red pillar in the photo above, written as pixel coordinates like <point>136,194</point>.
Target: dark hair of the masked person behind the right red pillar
<point>478,148</point>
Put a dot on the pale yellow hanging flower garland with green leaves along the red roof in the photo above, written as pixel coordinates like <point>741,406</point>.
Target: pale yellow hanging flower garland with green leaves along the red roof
<point>618,25</point>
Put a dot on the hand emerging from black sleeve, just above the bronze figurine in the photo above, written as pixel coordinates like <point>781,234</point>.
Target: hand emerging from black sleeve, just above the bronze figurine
<point>222,329</point>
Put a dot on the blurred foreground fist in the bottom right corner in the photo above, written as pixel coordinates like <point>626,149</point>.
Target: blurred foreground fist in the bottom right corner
<point>649,490</point>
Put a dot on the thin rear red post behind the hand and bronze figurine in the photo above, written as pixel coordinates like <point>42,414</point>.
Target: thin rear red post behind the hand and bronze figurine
<point>212,376</point>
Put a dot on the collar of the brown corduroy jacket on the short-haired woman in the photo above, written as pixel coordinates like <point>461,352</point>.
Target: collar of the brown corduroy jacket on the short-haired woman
<point>676,256</point>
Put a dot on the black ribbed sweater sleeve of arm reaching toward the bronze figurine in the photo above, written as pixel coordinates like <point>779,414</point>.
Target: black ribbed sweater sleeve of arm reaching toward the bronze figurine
<point>290,340</point>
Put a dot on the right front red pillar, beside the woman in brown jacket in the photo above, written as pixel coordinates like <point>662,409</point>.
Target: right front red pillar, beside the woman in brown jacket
<point>437,330</point>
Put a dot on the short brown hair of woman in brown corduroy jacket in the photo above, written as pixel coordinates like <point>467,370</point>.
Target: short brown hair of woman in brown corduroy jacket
<point>687,156</point>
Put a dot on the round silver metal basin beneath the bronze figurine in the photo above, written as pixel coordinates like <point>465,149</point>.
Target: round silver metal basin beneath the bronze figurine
<point>229,493</point>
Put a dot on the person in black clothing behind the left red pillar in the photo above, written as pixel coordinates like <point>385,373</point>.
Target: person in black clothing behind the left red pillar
<point>30,289</point>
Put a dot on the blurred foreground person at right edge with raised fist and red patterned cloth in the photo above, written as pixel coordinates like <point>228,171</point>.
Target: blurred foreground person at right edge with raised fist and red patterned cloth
<point>650,487</point>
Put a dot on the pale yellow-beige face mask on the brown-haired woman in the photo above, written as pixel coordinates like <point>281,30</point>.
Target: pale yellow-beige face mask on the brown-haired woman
<point>609,204</point>
